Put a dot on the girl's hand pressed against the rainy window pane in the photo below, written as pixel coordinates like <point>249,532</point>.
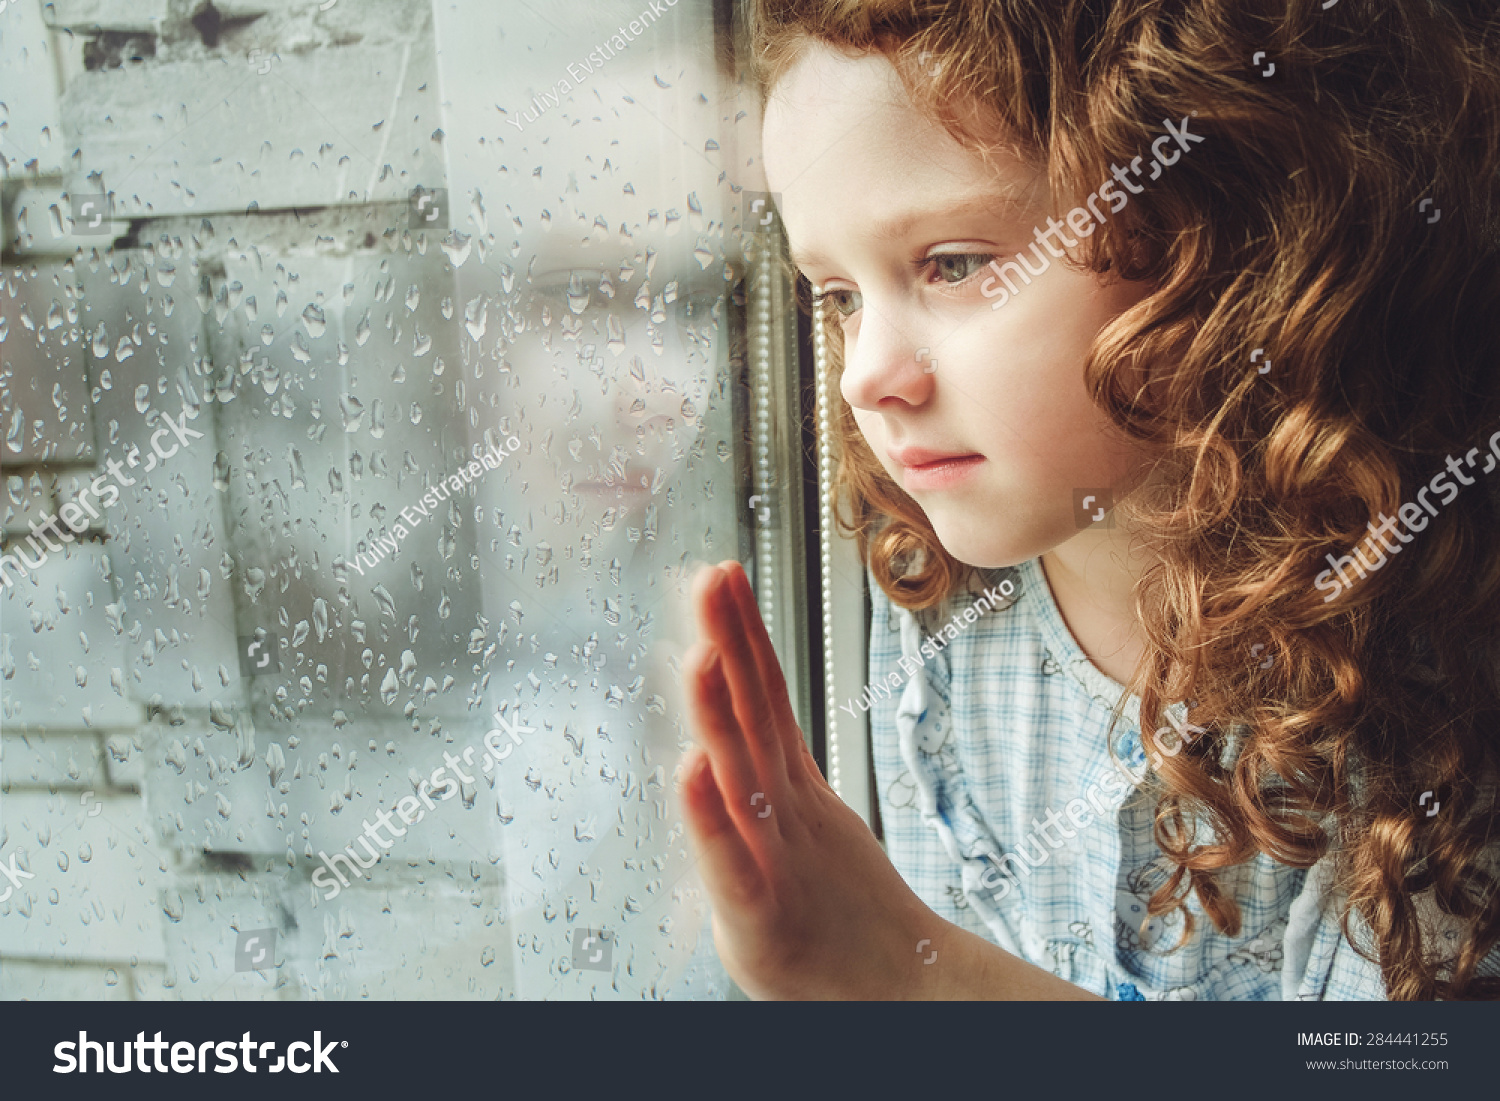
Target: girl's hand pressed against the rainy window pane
<point>806,904</point>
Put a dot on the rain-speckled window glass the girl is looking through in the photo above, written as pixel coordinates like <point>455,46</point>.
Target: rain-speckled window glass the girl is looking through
<point>358,446</point>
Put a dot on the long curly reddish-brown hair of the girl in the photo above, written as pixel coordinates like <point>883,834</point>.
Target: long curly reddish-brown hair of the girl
<point>1300,229</point>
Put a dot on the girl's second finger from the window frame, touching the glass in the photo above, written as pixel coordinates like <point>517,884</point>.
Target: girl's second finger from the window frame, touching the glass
<point>725,628</point>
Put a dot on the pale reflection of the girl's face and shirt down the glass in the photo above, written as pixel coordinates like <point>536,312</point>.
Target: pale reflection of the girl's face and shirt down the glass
<point>604,274</point>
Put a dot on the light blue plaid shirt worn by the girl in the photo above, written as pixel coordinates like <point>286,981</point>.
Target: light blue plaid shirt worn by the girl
<point>1006,814</point>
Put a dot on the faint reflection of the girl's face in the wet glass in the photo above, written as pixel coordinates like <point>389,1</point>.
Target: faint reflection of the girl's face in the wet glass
<point>608,284</point>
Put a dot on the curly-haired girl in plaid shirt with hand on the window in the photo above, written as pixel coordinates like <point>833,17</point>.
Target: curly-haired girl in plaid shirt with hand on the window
<point>1177,316</point>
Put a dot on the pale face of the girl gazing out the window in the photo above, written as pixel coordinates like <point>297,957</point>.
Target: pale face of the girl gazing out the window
<point>898,223</point>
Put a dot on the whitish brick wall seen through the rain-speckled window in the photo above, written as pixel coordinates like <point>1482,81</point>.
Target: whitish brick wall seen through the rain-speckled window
<point>134,779</point>
